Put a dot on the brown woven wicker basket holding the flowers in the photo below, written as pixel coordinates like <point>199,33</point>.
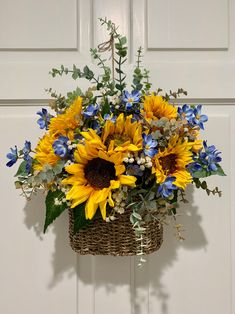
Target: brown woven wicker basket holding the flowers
<point>115,238</point>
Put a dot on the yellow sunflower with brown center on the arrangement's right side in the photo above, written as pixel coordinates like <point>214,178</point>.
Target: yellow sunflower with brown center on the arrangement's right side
<point>172,162</point>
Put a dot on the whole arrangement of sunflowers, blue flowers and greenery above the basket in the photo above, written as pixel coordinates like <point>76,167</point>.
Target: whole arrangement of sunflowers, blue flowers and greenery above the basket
<point>115,148</point>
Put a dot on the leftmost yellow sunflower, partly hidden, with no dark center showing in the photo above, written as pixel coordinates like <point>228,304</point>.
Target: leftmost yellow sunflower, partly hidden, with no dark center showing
<point>45,152</point>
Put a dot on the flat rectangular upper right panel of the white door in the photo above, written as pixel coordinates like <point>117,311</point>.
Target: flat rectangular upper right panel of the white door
<point>187,24</point>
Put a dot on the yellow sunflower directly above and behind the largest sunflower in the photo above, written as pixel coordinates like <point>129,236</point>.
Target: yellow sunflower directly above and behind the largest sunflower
<point>122,135</point>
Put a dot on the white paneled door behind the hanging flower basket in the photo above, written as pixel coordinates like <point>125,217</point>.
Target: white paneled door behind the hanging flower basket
<point>189,44</point>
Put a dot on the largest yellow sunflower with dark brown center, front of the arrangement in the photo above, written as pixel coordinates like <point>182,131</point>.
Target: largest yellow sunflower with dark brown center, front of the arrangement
<point>93,177</point>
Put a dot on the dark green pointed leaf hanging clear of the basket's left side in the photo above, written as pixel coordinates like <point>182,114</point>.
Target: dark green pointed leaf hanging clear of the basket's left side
<point>52,210</point>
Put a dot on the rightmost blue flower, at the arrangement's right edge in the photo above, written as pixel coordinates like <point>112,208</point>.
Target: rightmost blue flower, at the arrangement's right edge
<point>210,157</point>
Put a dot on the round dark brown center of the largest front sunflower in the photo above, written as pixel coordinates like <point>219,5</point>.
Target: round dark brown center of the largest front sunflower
<point>99,172</point>
